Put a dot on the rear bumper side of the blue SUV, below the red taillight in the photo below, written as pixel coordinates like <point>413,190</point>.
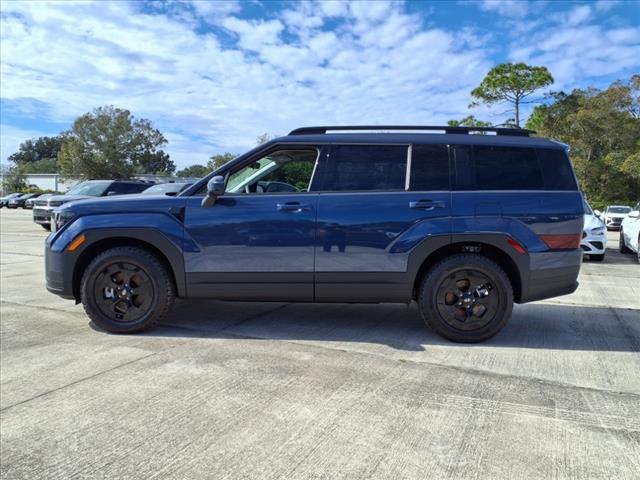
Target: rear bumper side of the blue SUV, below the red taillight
<point>552,274</point>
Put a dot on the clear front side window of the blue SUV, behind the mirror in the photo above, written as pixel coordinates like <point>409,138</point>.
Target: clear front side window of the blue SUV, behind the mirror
<point>282,171</point>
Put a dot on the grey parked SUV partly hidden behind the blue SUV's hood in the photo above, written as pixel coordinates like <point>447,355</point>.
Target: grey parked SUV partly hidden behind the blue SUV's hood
<point>92,188</point>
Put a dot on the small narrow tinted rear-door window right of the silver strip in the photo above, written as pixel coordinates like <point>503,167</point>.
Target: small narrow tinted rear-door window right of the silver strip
<point>429,167</point>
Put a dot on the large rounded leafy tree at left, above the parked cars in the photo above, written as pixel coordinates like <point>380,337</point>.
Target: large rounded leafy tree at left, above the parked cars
<point>110,143</point>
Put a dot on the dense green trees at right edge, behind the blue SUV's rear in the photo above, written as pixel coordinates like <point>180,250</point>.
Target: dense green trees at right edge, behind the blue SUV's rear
<point>602,128</point>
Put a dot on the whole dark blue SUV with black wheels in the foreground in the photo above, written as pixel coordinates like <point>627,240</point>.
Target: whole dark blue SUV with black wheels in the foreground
<point>462,223</point>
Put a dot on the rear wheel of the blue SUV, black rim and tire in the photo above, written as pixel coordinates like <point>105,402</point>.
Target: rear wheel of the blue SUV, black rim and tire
<point>450,277</point>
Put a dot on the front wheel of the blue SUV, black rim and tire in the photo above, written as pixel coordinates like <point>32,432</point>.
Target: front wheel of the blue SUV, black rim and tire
<point>127,290</point>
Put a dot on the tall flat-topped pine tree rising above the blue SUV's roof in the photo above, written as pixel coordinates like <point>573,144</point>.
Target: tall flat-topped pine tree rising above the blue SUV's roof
<point>511,83</point>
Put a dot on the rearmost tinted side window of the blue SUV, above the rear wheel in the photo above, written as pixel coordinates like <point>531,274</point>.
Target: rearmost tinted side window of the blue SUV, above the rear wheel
<point>507,168</point>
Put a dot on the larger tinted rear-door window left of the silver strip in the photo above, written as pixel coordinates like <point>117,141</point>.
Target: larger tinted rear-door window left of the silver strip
<point>365,167</point>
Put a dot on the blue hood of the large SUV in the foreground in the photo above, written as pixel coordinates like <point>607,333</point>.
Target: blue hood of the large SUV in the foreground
<point>123,204</point>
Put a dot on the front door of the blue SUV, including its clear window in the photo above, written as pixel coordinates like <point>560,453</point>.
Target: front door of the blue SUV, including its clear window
<point>257,241</point>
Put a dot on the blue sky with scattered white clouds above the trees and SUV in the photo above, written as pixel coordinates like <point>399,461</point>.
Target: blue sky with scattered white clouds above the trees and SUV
<point>214,75</point>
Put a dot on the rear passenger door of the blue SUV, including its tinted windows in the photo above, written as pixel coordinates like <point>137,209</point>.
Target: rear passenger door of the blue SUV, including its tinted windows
<point>372,213</point>
